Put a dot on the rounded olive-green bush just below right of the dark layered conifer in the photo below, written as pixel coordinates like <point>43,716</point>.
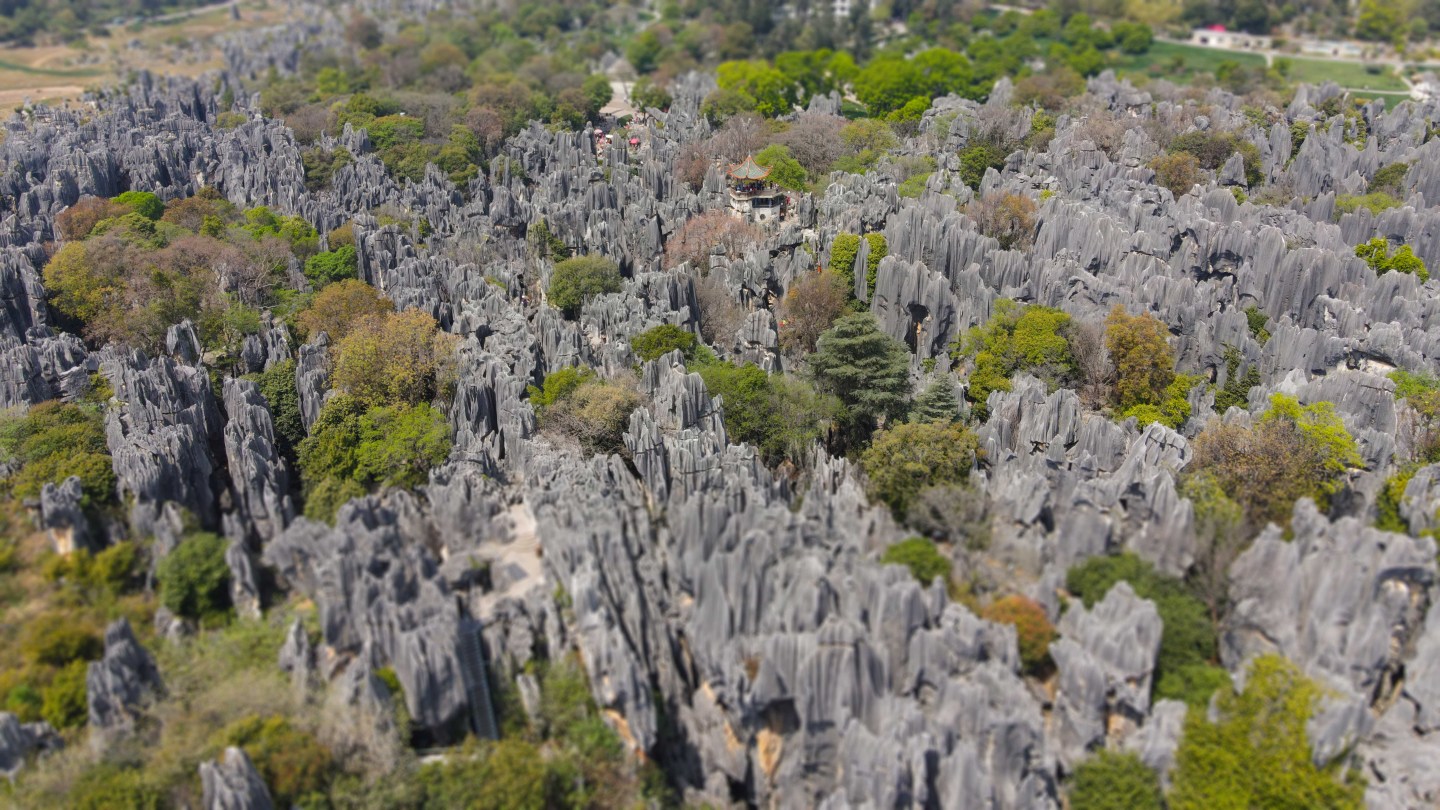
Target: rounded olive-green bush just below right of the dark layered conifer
<point>912,458</point>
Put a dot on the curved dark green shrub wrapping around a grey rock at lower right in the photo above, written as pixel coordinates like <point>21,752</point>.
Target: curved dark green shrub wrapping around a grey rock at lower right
<point>1189,638</point>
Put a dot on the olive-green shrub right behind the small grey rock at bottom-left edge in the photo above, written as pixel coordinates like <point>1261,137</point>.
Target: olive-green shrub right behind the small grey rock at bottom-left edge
<point>290,760</point>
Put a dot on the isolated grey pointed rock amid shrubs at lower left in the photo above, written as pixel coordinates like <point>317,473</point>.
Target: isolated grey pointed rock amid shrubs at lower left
<point>120,685</point>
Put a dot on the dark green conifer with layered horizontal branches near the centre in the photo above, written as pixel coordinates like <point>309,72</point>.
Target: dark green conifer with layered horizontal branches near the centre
<point>865,368</point>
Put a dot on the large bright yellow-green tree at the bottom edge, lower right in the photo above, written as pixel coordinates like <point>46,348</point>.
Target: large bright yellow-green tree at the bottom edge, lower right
<point>1258,755</point>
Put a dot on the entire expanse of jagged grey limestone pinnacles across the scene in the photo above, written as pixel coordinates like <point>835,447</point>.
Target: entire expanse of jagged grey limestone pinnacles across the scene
<point>735,623</point>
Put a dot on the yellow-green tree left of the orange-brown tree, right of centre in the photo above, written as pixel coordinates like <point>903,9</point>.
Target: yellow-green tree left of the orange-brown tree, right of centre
<point>1016,339</point>
